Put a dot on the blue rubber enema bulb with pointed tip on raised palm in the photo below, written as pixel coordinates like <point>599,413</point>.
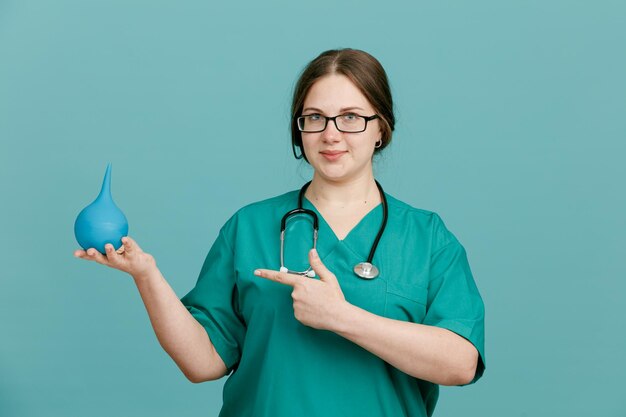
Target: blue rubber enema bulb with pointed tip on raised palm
<point>102,221</point>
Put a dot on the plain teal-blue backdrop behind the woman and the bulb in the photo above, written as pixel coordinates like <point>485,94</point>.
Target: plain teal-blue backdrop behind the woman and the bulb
<point>511,126</point>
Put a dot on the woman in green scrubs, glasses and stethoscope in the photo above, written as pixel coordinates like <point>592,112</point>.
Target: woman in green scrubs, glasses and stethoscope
<point>333,343</point>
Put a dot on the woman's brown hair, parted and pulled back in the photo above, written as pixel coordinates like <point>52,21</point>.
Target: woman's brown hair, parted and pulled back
<point>364,71</point>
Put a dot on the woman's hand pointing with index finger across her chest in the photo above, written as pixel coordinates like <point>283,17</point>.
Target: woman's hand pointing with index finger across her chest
<point>316,303</point>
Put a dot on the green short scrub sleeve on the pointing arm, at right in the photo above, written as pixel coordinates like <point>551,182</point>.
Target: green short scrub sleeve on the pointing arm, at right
<point>454,302</point>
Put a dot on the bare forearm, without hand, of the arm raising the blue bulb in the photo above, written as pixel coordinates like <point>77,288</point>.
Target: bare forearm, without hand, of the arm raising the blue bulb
<point>178,332</point>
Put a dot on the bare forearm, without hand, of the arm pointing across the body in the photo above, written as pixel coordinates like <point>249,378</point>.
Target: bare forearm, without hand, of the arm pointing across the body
<point>425,352</point>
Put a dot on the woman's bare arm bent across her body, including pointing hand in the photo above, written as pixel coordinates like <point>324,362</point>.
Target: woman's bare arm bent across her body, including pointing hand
<point>426,352</point>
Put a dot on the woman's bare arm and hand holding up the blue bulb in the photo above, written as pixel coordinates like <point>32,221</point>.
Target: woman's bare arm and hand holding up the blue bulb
<point>178,332</point>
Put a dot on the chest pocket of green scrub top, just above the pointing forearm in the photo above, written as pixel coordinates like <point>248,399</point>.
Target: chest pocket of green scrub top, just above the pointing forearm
<point>406,302</point>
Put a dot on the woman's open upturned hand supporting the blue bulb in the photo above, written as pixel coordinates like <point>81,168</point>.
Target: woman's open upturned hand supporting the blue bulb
<point>129,258</point>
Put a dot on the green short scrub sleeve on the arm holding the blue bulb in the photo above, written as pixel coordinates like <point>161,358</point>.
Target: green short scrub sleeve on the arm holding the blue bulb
<point>213,302</point>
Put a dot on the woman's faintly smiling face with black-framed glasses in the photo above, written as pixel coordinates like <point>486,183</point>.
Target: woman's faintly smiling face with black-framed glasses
<point>337,156</point>
